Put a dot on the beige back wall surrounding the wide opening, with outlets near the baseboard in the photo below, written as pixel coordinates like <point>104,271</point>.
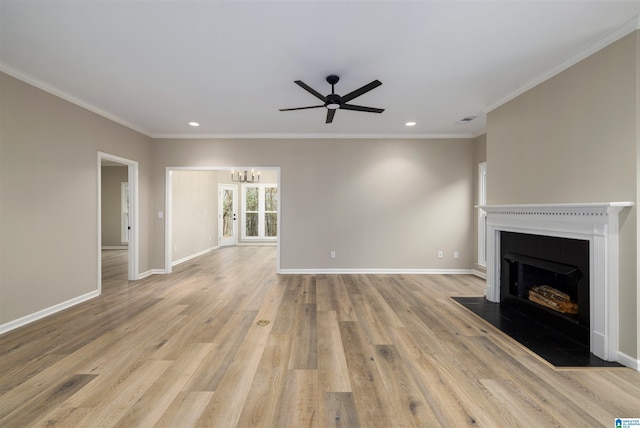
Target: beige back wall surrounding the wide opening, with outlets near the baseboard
<point>380,204</point>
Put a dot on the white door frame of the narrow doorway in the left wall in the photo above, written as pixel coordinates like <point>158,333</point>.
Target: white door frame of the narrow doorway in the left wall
<point>132,248</point>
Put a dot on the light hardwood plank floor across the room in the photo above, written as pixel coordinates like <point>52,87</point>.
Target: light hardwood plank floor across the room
<point>186,349</point>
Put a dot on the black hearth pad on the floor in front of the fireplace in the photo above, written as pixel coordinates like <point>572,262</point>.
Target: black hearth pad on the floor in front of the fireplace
<point>556,348</point>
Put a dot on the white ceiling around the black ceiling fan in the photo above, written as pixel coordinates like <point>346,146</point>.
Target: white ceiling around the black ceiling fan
<point>230,65</point>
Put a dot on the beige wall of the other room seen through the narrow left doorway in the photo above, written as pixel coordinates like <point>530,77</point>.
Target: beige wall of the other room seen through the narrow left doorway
<point>111,207</point>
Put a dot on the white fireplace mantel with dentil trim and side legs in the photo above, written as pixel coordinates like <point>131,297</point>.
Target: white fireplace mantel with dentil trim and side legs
<point>594,222</point>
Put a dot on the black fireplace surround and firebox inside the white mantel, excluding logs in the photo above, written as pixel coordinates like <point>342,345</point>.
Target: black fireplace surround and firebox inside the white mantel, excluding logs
<point>561,263</point>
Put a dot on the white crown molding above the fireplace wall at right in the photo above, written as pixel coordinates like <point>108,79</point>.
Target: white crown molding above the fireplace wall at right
<point>627,28</point>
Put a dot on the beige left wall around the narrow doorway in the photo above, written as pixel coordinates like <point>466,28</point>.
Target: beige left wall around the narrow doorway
<point>48,194</point>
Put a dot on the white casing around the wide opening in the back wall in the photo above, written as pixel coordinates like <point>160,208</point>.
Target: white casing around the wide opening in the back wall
<point>168,200</point>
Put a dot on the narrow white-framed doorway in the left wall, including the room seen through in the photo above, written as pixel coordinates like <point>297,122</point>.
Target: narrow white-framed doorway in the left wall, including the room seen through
<point>126,193</point>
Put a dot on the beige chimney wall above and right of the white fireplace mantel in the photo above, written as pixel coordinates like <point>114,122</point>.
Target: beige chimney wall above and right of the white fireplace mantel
<point>574,138</point>
